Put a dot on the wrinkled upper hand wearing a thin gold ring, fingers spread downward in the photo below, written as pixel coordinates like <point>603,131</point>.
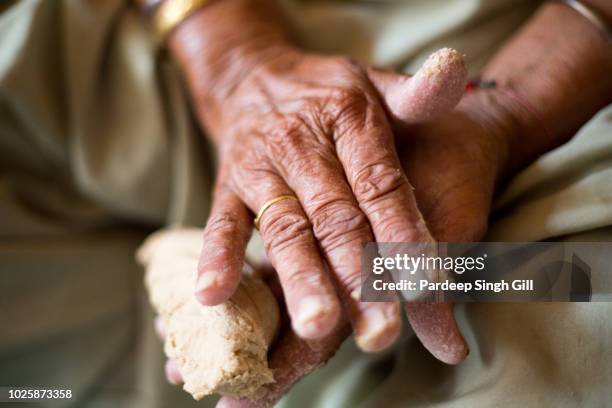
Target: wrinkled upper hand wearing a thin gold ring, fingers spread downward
<point>318,128</point>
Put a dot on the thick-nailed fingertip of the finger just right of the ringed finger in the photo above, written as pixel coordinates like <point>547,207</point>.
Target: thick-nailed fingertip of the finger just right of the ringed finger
<point>378,327</point>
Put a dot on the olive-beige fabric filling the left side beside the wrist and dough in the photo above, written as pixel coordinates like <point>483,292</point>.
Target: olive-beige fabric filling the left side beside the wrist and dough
<point>97,147</point>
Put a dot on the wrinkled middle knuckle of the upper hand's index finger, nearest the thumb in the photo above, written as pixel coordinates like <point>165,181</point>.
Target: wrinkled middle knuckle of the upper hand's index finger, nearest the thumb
<point>375,181</point>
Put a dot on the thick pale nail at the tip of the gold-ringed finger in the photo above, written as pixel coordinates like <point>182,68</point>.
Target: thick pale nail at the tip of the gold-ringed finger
<point>316,316</point>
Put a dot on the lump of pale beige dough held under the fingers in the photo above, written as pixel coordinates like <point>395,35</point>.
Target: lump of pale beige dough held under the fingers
<point>218,349</point>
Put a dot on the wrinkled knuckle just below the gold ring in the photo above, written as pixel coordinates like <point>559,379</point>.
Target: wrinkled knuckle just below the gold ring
<point>281,230</point>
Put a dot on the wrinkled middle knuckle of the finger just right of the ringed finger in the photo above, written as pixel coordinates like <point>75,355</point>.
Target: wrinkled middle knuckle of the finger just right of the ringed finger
<point>339,222</point>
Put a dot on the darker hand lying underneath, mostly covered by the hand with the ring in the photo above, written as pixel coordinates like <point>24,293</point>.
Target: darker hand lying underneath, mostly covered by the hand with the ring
<point>455,163</point>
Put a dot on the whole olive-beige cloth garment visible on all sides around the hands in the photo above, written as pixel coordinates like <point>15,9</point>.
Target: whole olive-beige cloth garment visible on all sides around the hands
<point>98,147</point>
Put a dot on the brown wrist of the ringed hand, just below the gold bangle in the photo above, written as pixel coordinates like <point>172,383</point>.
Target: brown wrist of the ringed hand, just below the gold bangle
<point>219,45</point>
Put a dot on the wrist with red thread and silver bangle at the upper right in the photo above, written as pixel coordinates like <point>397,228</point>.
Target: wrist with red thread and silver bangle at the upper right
<point>538,106</point>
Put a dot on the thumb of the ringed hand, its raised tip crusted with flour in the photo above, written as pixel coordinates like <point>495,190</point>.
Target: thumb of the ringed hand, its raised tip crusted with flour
<point>435,89</point>
